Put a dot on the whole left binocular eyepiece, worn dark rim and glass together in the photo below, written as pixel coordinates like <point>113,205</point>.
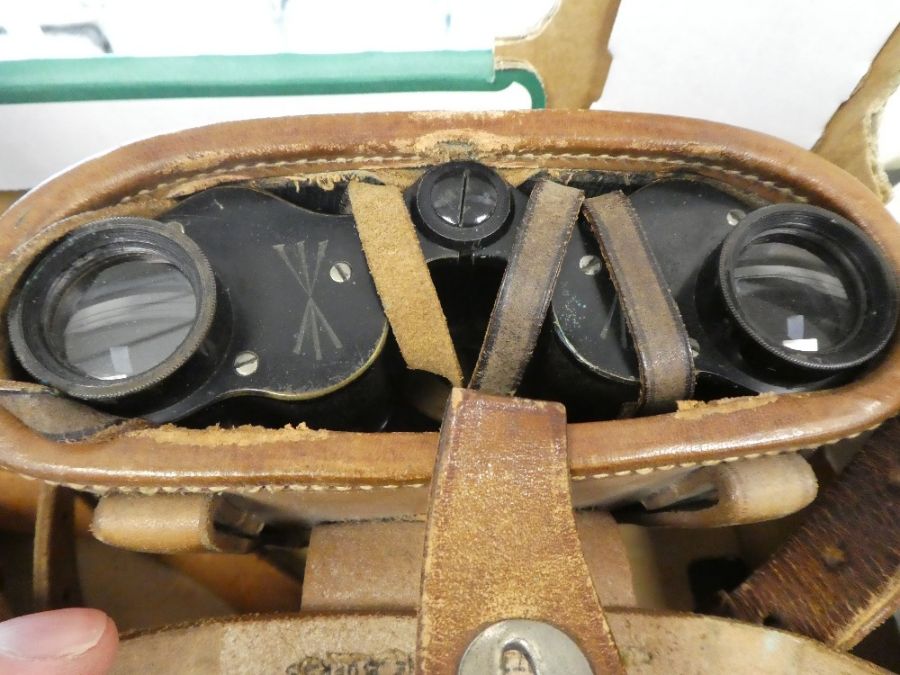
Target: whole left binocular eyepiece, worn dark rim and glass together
<point>113,309</point>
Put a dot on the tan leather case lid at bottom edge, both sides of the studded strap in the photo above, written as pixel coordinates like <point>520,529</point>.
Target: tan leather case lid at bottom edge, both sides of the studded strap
<point>651,644</point>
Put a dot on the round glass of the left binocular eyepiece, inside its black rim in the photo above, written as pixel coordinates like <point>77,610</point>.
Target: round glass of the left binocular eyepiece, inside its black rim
<point>124,318</point>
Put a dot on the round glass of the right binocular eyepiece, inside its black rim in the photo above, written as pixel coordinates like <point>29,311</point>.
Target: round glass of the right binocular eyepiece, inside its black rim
<point>795,298</point>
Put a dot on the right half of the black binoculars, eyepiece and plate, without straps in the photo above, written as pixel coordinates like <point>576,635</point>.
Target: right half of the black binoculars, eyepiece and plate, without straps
<point>778,298</point>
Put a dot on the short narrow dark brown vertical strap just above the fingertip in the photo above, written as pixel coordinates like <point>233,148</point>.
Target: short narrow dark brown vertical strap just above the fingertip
<point>55,564</point>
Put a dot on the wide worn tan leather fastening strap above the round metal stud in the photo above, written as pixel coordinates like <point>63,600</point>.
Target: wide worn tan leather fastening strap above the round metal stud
<point>501,541</point>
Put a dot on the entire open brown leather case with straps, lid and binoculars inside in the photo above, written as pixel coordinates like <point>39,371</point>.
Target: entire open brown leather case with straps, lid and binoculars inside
<point>386,339</point>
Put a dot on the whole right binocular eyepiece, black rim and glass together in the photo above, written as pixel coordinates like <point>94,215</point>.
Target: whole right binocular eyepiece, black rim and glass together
<point>808,287</point>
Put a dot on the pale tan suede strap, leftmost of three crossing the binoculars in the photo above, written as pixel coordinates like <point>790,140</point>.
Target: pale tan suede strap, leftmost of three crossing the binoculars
<point>402,279</point>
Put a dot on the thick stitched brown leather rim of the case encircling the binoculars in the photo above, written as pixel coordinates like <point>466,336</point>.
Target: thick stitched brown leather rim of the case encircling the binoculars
<point>324,474</point>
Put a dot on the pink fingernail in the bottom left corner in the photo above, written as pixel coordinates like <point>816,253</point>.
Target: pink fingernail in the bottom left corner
<point>59,633</point>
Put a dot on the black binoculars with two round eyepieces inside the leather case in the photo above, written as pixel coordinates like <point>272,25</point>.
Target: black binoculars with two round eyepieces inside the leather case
<point>243,305</point>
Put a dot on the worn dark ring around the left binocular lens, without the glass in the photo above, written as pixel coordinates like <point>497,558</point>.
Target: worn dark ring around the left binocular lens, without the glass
<point>92,247</point>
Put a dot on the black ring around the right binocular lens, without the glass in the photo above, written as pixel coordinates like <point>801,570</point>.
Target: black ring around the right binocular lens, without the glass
<point>814,229</point>
